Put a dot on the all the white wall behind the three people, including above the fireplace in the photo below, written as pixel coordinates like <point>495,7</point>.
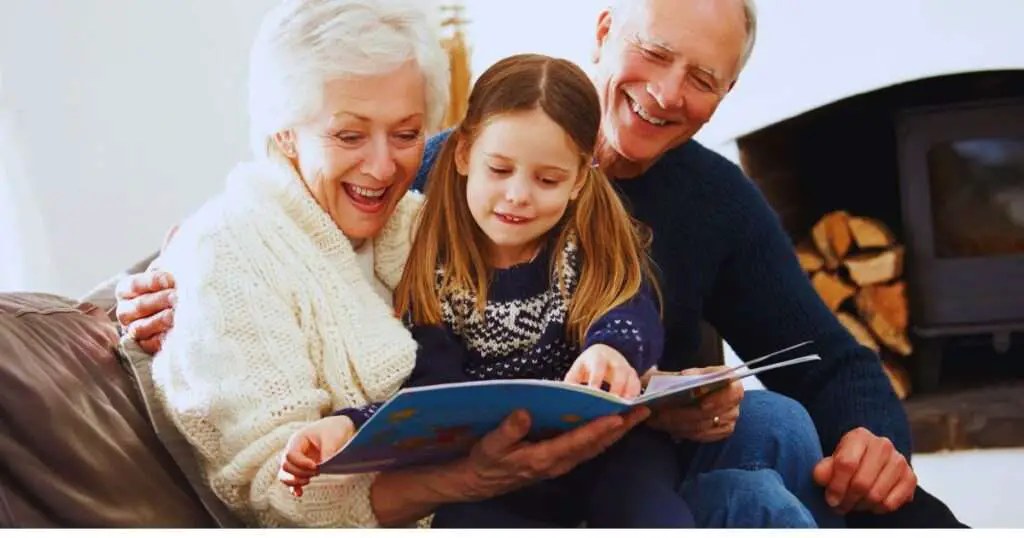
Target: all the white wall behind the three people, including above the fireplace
<point>131,112</point>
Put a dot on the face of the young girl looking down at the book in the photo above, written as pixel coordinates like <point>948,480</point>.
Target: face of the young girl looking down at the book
<point>523,171</point>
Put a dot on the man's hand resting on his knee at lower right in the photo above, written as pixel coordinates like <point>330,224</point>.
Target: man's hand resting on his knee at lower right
<point>866,473</point>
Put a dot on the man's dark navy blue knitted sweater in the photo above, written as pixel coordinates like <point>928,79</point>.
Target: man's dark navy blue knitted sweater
<point>724,258</point>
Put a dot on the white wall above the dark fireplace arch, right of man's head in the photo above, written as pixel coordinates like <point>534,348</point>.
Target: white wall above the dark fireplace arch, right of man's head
<point>813,54</point>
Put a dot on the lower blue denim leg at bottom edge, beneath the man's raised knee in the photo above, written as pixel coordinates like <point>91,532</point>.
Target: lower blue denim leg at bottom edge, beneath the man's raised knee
<point>745,500</point>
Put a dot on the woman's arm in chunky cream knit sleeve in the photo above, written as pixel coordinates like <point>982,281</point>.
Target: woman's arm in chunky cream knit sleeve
<point>238,381</point>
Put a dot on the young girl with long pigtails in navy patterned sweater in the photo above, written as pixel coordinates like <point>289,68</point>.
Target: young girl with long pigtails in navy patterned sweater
<point>526,265</point>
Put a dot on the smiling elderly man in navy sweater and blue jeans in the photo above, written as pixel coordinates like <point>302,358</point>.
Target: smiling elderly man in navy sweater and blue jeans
<point>662,68</point>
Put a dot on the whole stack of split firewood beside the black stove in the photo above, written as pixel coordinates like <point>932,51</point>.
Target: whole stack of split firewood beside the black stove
<point>857,267</point>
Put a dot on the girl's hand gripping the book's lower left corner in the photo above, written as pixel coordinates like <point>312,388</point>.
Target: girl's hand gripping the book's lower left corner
<point>308,448</point>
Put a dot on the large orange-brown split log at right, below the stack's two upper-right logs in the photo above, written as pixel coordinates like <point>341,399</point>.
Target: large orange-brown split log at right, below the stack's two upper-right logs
<point>884,309</point>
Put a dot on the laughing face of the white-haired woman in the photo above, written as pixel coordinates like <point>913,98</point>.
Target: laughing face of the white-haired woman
<point>361,153</point>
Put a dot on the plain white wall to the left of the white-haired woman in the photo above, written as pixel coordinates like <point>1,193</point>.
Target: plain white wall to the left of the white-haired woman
<point>130,113</point>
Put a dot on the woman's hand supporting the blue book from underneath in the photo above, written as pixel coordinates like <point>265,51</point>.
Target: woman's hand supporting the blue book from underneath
<point>502,462</point>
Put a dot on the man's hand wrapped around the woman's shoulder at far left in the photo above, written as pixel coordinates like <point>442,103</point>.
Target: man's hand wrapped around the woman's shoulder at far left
<point>146,308</point>
